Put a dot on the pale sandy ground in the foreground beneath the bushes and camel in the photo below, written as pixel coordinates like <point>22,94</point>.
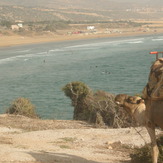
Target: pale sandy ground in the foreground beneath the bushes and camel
<point>25,140</point>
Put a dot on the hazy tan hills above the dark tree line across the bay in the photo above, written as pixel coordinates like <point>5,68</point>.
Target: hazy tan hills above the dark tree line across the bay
<point>80,10</point>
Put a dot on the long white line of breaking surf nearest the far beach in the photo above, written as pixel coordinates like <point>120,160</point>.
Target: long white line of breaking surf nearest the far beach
<point>25,55</point>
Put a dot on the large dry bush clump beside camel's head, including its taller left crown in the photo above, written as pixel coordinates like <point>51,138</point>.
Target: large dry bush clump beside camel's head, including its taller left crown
<point>98,108</point>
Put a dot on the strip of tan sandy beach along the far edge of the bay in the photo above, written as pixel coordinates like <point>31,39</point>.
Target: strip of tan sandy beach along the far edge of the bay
<point>16,40</point>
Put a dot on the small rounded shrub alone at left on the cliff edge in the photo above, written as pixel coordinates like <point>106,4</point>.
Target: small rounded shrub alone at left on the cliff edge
<point>22,106</point>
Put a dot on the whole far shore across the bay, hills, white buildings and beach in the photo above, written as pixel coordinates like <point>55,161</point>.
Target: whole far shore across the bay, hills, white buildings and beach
<point>55,18</point>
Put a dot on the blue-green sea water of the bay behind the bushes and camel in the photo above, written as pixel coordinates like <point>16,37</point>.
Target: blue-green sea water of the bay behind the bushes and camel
<point>39,71</point>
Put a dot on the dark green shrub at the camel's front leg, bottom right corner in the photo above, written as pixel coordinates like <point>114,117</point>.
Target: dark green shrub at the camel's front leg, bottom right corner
<point>143,154</point>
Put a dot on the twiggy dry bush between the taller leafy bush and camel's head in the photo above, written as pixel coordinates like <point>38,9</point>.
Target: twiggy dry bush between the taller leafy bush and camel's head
<point>104,111</point>
